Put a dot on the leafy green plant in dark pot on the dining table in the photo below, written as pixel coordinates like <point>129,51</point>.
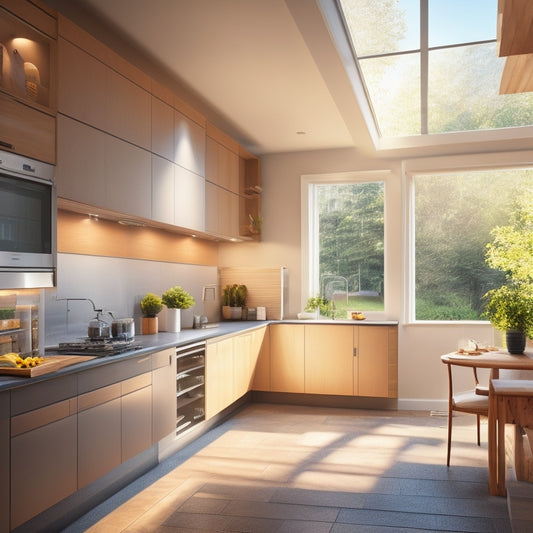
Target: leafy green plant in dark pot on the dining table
<point>510,308</point>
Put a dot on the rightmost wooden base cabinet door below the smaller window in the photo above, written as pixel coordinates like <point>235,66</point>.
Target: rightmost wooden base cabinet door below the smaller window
<point>373,361</point>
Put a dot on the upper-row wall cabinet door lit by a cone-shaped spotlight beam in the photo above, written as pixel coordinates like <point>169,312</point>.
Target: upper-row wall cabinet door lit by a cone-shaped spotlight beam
<point>189,144</point>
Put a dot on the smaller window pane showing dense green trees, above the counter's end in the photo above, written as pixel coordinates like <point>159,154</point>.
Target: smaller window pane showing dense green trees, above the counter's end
<point>346,243</point>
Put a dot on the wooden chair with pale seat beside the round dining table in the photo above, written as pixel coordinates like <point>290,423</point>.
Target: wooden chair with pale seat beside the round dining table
<point>475,401</point>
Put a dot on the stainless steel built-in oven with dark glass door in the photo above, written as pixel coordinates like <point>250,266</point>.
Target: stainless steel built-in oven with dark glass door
<point>28,218</point>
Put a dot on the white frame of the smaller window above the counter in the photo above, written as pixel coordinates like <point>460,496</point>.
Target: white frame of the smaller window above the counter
<point>309,229</point>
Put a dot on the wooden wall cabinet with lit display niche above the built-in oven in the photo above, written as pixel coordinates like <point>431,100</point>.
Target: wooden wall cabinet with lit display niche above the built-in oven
<point>27,80</point>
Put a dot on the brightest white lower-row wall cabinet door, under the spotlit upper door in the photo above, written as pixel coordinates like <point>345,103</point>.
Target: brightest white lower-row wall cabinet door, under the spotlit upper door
<point>189,199</point>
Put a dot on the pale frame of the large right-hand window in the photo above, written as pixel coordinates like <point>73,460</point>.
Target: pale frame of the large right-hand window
<point>443,165</point>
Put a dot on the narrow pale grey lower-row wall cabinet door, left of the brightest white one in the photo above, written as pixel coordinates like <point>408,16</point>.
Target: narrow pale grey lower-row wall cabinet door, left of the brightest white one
<point>163,183</point>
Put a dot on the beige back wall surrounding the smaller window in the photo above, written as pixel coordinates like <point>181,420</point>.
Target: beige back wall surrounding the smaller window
<point>422,376</point>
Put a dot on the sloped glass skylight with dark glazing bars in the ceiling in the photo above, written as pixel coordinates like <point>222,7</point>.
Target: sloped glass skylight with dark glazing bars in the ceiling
<point>431,66</point>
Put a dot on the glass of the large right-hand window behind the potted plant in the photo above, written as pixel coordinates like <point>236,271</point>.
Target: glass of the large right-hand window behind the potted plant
<point>454,215</point>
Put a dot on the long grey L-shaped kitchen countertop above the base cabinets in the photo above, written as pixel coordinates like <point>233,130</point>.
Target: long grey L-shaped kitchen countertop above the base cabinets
<point>160,341</point>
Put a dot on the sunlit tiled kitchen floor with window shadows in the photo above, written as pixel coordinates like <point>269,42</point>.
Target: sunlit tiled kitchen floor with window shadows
<point>277,468</point>
